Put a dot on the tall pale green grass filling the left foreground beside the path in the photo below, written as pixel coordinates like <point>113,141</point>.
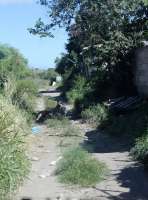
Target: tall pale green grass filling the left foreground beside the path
<point>14,164</point>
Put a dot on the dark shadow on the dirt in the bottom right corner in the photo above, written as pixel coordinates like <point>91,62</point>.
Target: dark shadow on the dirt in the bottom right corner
<point>136,179</point>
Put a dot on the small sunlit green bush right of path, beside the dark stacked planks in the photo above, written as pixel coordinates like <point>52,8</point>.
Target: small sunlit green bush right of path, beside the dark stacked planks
<point>95,114</point>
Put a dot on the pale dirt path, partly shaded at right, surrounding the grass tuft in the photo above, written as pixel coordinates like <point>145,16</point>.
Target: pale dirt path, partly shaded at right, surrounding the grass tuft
<point>127,180</point>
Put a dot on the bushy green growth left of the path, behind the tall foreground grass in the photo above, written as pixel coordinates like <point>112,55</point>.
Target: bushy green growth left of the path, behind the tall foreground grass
<point>22,93</point>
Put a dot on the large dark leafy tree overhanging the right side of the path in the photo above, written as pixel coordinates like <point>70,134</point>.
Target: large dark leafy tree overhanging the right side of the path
<point>102,37</point>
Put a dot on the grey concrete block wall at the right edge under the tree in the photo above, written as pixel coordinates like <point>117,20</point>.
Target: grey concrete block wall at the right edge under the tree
<point>141,73</point>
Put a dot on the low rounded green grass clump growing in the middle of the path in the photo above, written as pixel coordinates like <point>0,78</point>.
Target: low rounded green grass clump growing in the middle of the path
<point>79,168</point>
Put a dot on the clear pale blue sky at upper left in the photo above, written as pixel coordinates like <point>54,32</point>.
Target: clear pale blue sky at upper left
<point>18,15</point>
